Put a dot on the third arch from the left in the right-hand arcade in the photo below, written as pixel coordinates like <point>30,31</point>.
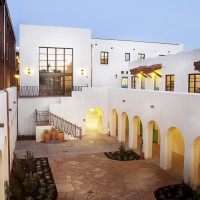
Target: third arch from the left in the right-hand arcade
<point>137,133</point>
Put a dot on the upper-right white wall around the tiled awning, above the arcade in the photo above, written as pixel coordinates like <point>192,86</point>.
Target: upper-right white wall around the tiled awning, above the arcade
<point>180,65</point>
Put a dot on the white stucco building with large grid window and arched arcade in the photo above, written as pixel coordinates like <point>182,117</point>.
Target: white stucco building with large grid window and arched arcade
<point>140,91</point>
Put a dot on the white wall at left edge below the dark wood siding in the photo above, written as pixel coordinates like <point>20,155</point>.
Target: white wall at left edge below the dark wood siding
<point>8,126</point>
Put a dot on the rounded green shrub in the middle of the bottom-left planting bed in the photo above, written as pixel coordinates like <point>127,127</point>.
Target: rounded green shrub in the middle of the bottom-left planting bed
<point>30,182</point>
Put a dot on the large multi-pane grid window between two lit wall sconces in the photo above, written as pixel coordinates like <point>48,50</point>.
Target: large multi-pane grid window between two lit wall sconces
<point>56,71</point>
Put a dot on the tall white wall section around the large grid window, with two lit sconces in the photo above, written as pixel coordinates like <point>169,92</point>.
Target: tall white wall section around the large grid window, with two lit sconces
<point>33,37</point>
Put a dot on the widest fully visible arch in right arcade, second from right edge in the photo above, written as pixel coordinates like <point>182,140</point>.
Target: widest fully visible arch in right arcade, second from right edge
<point>174,151</point>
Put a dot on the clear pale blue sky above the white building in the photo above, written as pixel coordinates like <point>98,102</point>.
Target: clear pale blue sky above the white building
<point>171,21</point>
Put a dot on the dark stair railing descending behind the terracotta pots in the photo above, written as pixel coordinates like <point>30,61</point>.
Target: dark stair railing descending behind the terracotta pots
<point>47,118</point>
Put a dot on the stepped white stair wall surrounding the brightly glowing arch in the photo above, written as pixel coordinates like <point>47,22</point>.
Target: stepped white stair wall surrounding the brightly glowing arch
<point>75,108</point>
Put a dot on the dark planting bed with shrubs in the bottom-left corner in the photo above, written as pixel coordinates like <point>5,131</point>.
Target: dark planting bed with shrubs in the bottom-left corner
<point>31,179</point>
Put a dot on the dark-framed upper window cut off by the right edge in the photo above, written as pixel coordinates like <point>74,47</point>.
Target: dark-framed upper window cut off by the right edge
<point>194,83</point>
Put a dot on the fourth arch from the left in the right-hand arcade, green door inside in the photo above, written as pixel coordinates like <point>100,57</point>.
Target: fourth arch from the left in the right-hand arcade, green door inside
<point>154,141</point>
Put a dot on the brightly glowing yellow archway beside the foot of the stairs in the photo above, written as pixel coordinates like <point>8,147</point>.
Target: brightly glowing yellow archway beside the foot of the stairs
<point>94,121</point>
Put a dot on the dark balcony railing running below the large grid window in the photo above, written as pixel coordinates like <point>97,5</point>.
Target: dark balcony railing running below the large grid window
<point>39,91</point>
